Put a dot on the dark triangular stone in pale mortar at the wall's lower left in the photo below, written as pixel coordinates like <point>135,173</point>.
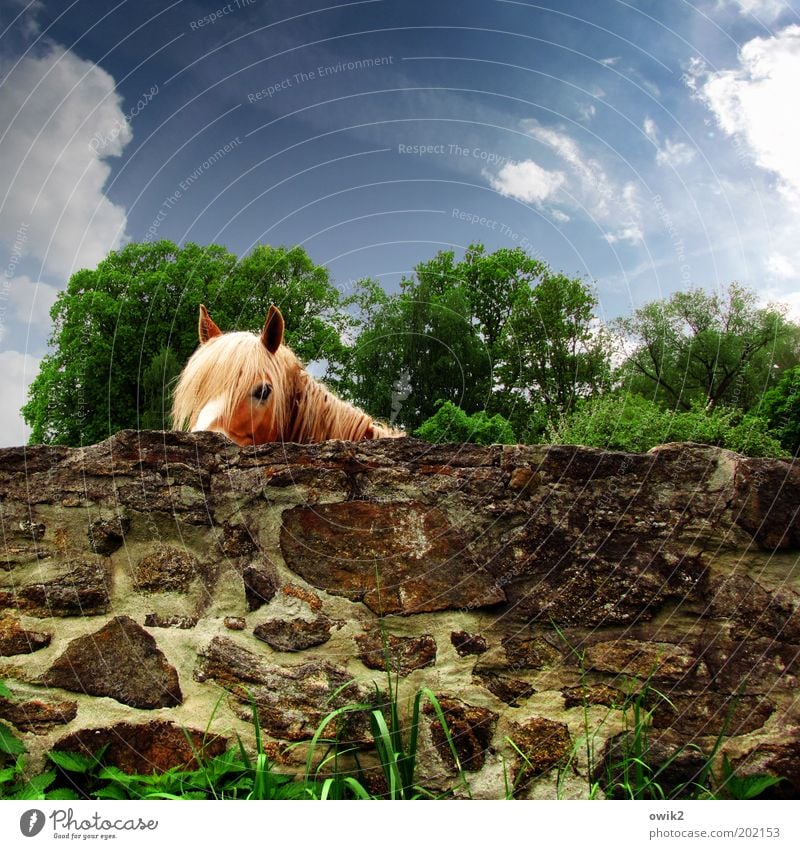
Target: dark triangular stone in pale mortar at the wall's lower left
<point>121,661</point>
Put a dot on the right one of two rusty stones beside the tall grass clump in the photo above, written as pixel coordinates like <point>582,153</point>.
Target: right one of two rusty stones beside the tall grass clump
<point>471,729</point>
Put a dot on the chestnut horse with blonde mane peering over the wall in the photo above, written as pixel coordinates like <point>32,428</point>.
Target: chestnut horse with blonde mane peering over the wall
<point>254,389</point>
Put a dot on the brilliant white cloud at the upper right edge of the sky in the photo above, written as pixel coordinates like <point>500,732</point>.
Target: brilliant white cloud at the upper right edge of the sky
<point>755,103</point>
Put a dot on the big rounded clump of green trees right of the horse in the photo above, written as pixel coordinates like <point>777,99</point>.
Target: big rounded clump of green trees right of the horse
<point>498,332</point>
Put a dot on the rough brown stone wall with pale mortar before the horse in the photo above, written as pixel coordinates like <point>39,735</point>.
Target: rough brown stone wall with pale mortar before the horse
<point>162,582</point>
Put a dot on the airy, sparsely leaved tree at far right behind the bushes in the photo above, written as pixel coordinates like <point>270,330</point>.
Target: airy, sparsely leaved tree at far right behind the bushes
<point>714,349</point>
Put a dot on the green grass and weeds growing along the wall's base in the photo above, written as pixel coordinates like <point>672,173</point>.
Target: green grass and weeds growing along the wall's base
<point>334,768</point>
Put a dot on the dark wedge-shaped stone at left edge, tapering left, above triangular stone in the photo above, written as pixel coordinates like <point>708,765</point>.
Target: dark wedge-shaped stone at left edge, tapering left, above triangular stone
<point>82,589</point>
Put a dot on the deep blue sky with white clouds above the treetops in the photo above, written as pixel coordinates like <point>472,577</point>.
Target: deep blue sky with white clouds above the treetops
<point>646,146</point>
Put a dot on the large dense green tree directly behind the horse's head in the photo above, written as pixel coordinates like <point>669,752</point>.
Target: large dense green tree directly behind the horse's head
<point>131,323</point>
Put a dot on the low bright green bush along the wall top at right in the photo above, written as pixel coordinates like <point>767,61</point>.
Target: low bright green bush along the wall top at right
<point>629,422</point>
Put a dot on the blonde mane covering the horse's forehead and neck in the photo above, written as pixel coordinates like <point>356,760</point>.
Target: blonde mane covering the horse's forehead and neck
<point>228,366</point>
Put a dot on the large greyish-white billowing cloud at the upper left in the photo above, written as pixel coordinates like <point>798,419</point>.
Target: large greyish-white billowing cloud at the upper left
<point>62,118</point>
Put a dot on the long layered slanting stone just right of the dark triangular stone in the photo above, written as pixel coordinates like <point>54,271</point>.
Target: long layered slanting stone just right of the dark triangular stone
<point>291,701</point>
